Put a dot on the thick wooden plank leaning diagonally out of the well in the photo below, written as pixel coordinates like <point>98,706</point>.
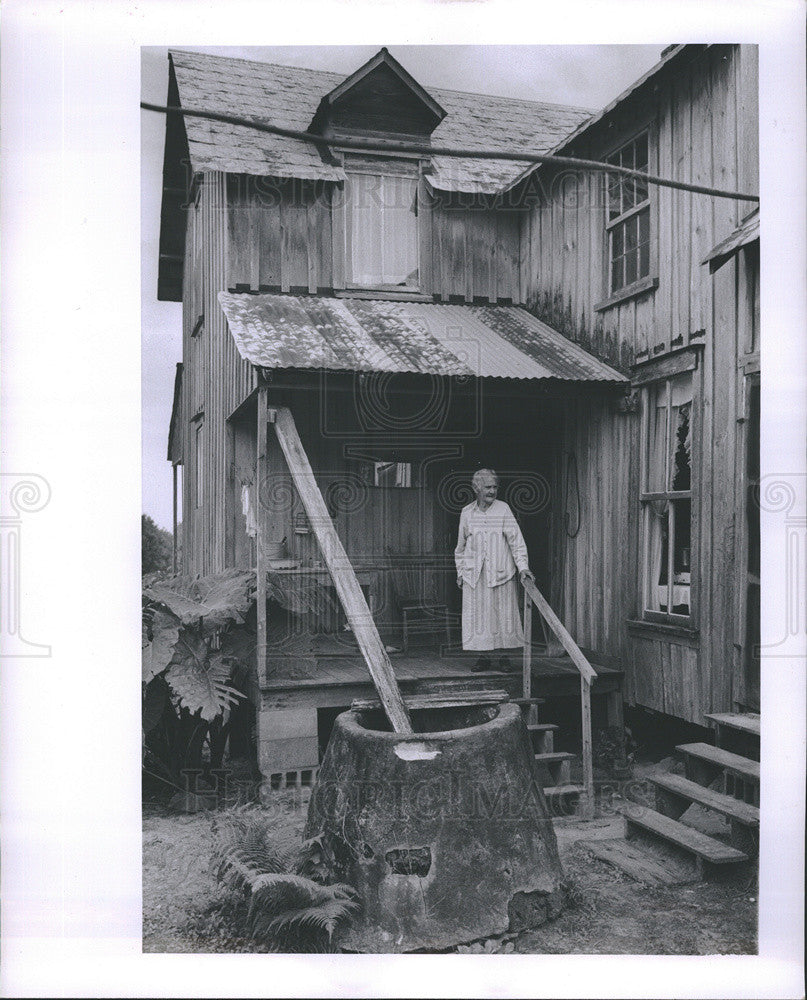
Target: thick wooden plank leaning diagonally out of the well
<point>341,570</point>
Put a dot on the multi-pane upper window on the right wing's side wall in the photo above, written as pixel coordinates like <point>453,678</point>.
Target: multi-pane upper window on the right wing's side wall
<point>628,223</point>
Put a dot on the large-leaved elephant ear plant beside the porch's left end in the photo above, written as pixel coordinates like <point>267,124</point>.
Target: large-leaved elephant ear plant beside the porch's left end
<point>198,654</point>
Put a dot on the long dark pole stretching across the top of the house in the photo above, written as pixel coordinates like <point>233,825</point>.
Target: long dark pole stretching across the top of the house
<point>394,146</point>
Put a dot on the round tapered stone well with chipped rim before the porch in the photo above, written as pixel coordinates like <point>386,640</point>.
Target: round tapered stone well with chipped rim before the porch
<point>445,833</point>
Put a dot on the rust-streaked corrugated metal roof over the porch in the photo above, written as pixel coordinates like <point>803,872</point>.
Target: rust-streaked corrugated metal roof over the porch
<point>351,334</point>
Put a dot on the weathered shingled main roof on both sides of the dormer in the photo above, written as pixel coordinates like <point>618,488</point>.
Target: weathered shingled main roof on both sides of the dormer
<point>289,96</point>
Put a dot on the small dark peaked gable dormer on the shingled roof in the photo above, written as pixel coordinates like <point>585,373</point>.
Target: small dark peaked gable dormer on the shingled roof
<point>379,98</point>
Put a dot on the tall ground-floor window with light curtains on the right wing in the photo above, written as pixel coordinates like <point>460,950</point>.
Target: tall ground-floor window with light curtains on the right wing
<point>666,498</point>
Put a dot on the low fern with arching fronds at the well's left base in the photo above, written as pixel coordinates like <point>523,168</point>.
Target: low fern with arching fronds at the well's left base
<point>286,910</point>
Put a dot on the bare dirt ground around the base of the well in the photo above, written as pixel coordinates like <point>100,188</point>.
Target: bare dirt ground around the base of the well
<point>607,912</point>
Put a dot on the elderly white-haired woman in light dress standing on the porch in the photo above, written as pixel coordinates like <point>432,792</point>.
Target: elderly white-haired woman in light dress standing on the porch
<point>490,549</point>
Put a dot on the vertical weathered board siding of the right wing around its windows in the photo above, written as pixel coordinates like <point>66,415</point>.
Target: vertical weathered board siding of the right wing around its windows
<point>703,123</point>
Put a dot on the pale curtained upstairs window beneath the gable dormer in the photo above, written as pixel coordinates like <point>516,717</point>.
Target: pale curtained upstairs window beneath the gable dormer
<point>381,236</point>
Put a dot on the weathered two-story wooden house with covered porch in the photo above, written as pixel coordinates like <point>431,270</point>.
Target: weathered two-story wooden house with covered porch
<point>422,315</point>
